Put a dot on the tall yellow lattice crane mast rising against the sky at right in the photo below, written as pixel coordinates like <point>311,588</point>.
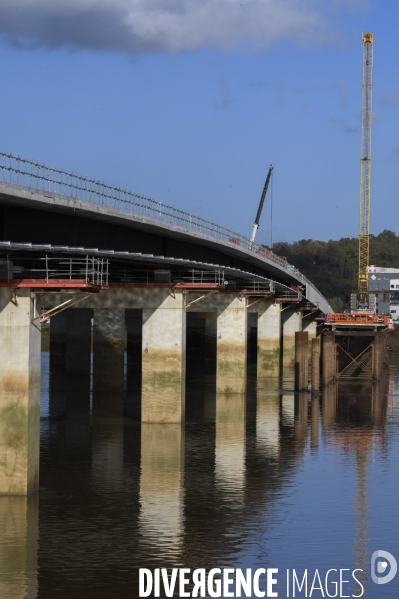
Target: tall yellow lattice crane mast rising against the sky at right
<point>365,169</point>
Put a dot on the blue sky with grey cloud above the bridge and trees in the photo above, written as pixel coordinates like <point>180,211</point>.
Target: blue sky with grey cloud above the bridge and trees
<point>189,102</point>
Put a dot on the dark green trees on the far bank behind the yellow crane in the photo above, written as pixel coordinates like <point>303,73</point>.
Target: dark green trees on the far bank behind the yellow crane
<point>332,265</point>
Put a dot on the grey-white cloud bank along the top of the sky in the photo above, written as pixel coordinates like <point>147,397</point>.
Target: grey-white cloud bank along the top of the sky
<point>160,25</point>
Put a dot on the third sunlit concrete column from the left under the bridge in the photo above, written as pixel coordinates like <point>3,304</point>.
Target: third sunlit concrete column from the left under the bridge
<point>231,366</point>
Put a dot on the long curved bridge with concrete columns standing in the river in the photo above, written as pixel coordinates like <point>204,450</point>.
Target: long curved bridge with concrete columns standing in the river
<point>127,265</point>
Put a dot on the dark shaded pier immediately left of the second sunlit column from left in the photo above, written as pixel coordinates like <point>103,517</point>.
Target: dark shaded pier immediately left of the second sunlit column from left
<point>108,363</point>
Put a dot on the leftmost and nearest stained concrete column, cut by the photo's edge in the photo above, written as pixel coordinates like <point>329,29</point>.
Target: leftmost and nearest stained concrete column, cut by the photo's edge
<point>20,349</point>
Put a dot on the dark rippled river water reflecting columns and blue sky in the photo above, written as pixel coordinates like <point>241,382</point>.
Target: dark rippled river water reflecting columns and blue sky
<point>270,480</point>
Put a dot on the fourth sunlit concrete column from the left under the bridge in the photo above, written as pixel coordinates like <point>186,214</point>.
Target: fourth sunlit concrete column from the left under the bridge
<point>269,339</point>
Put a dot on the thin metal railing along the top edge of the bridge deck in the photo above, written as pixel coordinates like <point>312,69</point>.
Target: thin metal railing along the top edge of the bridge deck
<point>33,175</point>
